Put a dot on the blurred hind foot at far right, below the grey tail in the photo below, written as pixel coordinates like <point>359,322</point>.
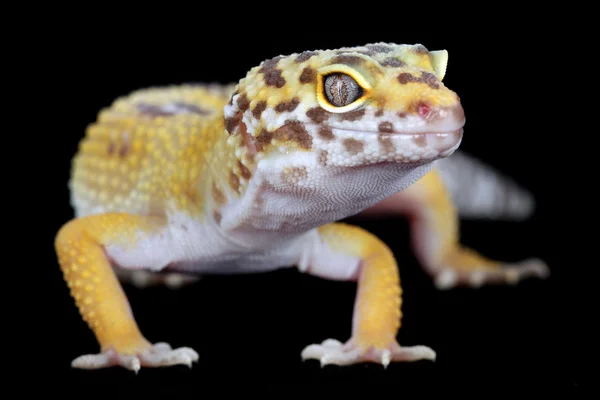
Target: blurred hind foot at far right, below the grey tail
<point>450,277</point>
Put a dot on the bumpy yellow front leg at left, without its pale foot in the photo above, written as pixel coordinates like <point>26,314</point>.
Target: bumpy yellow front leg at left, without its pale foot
<point>93,285</point>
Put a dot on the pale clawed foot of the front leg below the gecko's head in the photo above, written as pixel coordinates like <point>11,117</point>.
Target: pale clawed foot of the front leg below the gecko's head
<point>334,352</point>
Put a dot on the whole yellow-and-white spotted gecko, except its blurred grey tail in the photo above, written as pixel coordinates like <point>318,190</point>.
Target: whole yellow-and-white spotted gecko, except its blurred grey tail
<point>198,179</point>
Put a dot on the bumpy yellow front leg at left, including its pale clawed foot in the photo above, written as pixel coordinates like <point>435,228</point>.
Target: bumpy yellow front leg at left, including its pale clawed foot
<point>80,246</point>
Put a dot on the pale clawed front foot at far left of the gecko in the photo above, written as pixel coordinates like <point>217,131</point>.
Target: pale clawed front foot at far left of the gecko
<point>159,355</point>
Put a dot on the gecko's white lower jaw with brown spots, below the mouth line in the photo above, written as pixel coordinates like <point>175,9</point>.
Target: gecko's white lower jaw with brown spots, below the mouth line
<point>355,148</point>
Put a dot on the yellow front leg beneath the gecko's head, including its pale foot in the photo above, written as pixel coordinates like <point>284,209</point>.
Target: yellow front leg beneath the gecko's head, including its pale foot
<point>347,252</point>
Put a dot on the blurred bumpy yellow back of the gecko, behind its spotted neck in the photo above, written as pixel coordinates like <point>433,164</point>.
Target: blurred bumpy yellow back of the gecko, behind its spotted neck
<point>153,151</point>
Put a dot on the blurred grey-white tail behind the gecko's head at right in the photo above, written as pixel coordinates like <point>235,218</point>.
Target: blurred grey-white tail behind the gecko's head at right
<point>481,192</point>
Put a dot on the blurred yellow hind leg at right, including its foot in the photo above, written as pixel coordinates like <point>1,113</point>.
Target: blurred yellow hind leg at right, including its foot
<point>436,240</point>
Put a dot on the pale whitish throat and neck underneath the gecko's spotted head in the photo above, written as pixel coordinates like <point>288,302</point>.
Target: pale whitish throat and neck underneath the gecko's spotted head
<point>283,201</point>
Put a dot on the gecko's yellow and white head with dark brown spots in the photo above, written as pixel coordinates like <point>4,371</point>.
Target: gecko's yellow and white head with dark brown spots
<point>379,103</point>
